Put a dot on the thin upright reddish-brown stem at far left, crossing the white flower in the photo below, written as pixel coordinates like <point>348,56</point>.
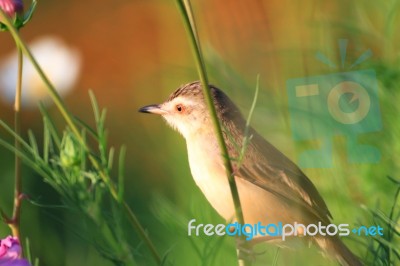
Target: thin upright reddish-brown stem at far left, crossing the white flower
<point>15,220</point>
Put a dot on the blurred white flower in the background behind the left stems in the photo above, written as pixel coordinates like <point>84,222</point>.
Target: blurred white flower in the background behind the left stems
<point>61,64</point>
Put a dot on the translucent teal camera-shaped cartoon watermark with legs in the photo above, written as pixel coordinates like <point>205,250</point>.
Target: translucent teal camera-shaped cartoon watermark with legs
<point>344,103</point>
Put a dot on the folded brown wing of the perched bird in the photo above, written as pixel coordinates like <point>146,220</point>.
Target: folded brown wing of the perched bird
<point>269,169</point>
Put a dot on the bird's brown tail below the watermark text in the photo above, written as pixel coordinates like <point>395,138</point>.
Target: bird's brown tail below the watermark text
<point>334,247</point>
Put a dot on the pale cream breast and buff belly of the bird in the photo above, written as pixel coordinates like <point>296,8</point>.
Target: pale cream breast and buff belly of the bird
<point>209,174</point>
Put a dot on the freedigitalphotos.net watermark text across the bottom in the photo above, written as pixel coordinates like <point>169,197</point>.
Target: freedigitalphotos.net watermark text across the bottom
<point>279,230</point>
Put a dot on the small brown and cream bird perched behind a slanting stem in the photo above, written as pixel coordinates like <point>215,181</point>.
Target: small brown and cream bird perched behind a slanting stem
<point>271,187</point>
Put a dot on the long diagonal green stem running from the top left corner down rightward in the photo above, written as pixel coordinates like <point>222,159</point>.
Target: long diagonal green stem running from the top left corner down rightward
<point>69,120</point>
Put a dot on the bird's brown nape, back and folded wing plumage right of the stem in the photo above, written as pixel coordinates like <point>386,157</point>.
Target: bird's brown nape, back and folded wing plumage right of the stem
<point>273,172</point>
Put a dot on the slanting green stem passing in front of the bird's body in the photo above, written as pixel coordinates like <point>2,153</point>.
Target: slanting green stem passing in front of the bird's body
<point>189,22</point>
